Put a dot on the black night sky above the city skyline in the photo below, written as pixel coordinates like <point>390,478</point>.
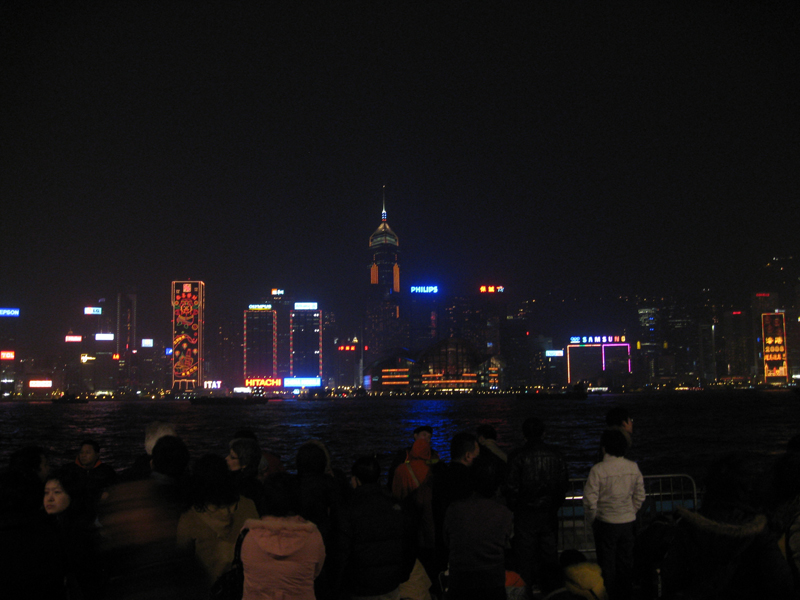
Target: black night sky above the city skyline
<point>624,146</point>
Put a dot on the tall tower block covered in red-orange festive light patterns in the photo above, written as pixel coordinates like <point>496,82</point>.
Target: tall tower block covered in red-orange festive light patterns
<point>187,334</point>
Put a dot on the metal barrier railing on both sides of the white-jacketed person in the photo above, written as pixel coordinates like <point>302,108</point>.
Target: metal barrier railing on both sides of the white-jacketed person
<point>665,493</point>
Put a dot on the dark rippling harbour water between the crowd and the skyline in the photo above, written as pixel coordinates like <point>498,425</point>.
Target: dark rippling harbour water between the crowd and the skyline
<point>673,433</point>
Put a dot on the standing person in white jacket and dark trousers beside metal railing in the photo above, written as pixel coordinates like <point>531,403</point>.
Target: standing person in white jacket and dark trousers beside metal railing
<point>613,494</point>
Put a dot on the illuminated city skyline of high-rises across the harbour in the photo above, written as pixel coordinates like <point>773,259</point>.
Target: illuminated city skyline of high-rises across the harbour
<point>415,337</point>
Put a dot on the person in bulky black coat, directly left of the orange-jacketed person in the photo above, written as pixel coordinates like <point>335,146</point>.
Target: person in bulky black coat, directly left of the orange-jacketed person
<point>375,536</point>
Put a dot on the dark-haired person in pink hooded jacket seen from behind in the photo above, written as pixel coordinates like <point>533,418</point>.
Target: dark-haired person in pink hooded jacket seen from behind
<point>282,553</point>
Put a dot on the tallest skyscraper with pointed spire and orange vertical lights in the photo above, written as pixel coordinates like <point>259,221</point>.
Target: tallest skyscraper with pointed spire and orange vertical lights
<point>384,328</point>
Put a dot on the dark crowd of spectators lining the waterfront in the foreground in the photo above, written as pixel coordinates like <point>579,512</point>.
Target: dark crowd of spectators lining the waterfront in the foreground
<point>483,526</point>
